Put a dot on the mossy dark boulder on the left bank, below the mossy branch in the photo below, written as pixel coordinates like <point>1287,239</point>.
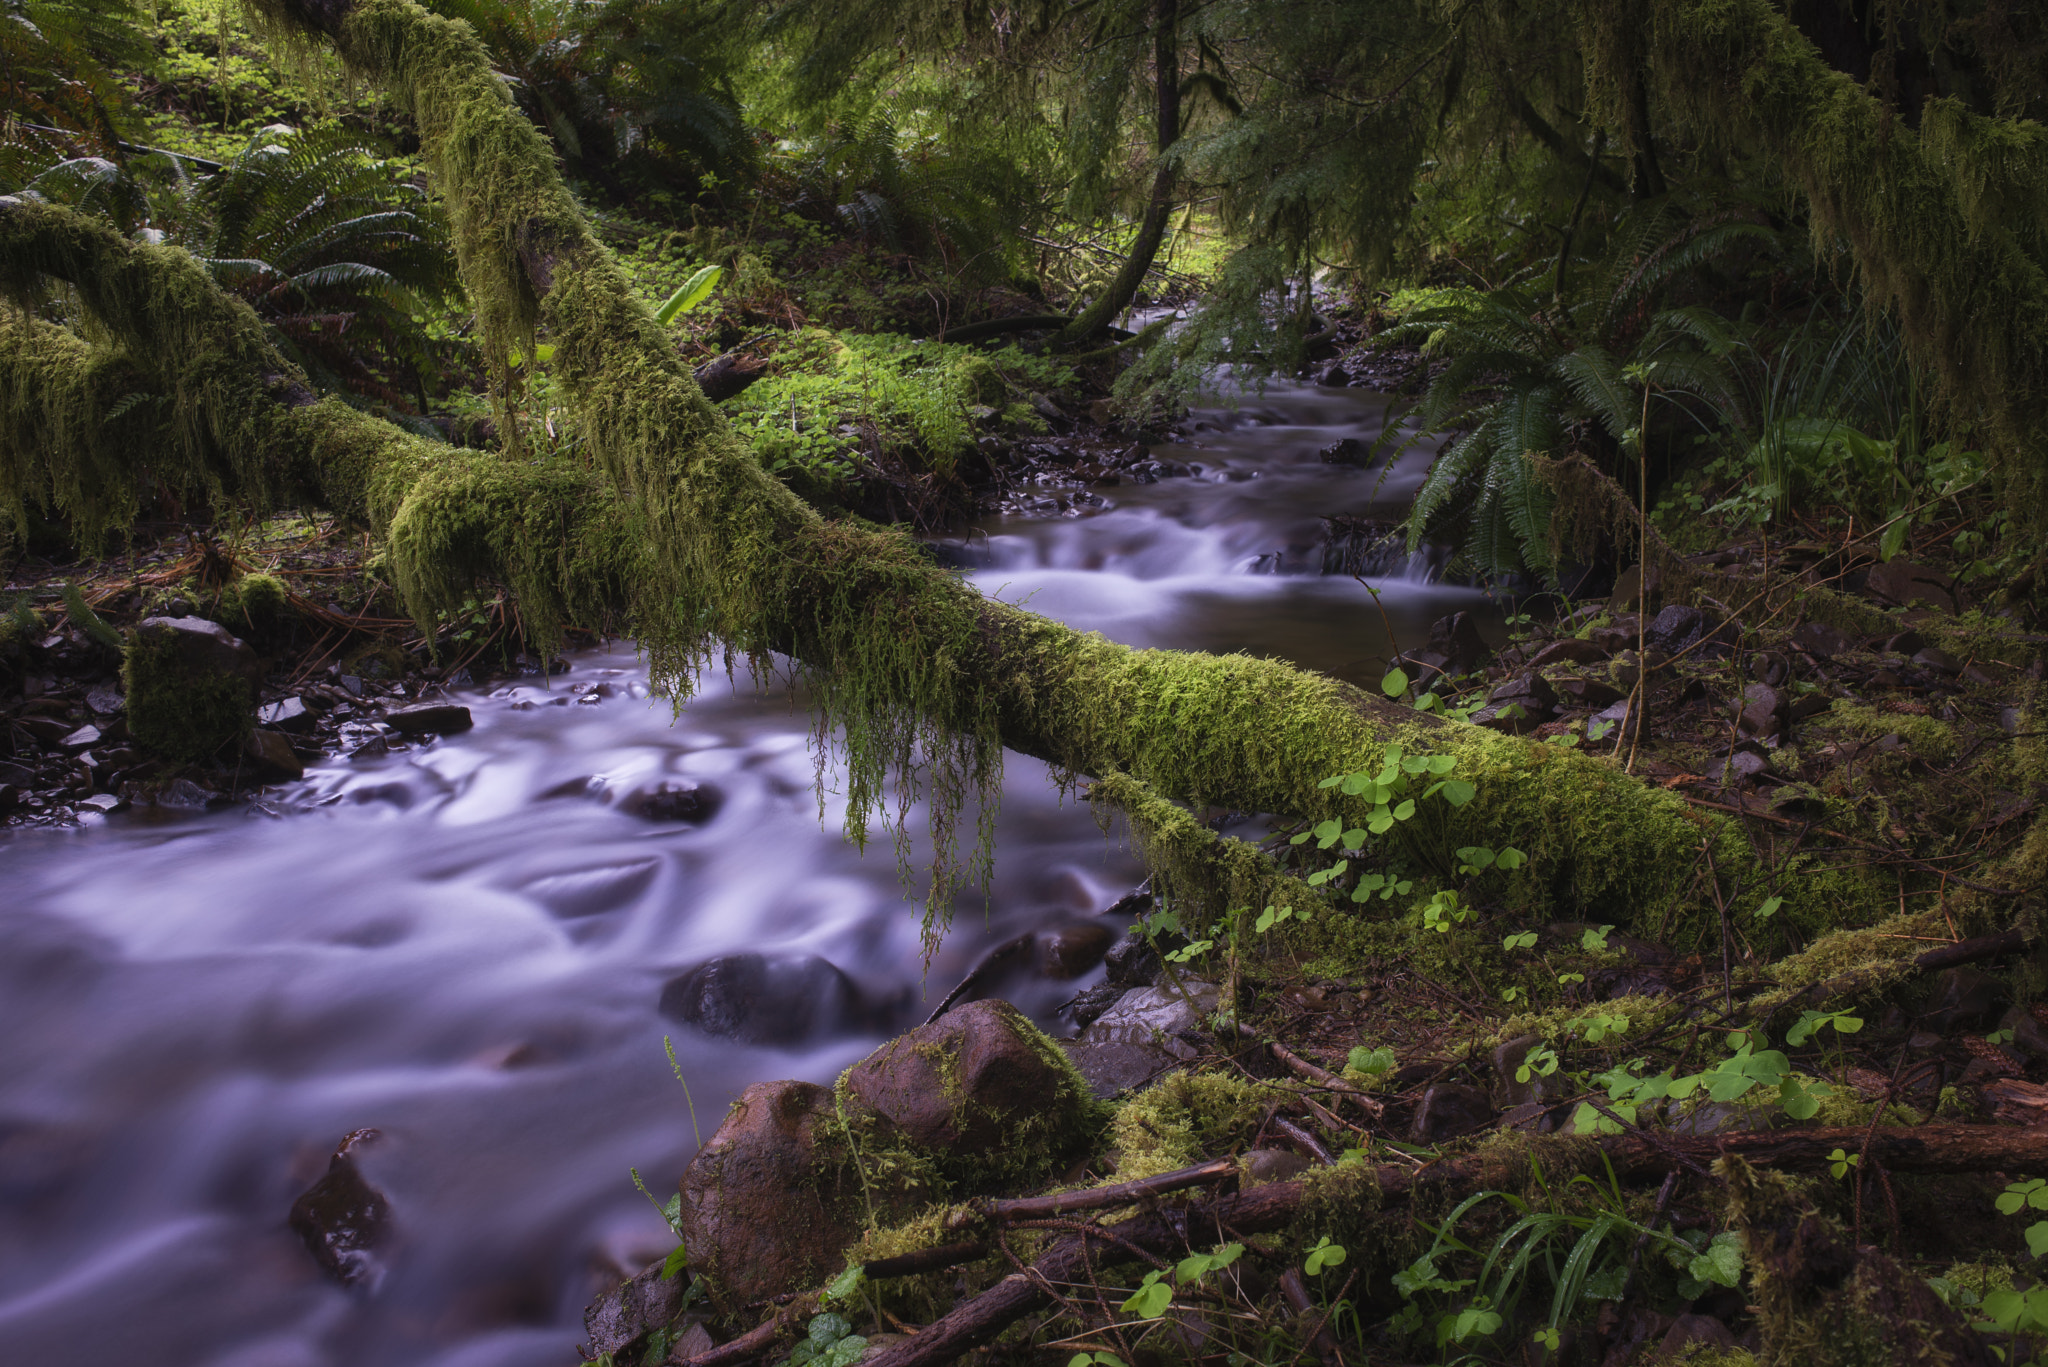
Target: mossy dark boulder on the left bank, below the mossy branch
<point>191,686</point>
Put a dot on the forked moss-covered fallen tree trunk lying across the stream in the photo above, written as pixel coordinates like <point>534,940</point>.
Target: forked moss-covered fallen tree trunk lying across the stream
<point>708,554</point>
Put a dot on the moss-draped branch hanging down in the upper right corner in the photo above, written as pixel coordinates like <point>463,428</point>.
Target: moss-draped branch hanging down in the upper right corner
<point>1945,222</point>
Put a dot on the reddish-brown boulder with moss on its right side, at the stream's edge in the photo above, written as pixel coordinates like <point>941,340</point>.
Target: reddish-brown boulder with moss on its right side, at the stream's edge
<point>962,1085</point>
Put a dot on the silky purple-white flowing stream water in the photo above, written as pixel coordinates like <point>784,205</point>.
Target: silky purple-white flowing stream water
<point>464,946</point>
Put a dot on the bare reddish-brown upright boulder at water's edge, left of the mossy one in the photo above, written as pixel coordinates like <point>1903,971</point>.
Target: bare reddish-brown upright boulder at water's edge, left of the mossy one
<point>757,1214</point>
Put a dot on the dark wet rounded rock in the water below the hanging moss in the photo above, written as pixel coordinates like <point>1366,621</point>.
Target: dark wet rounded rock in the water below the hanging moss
<point>763,1001</point>
